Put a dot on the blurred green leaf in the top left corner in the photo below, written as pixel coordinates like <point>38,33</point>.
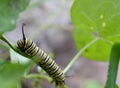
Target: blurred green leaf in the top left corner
<point>9,12</point>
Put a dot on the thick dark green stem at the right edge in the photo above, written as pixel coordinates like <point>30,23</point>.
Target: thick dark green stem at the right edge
<point>113,66</point>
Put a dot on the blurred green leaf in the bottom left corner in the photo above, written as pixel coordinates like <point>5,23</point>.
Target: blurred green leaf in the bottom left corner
<point>11,74</point>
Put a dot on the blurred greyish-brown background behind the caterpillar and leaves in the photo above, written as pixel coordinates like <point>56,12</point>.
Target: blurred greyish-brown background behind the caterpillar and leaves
<point>49,25</point>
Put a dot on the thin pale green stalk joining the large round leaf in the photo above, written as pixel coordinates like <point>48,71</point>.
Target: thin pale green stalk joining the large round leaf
<point>78,54</point>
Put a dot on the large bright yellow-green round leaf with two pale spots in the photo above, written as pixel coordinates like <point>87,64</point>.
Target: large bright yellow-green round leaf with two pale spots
<point>96,19</point>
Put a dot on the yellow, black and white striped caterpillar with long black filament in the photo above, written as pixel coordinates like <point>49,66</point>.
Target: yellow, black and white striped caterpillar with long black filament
<point>27,46</point>
